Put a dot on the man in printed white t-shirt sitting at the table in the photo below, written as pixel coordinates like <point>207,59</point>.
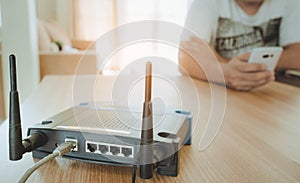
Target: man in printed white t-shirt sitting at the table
<point>232,28</point>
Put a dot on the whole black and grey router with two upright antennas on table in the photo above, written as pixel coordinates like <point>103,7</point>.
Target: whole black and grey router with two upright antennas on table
<point>106,135</point>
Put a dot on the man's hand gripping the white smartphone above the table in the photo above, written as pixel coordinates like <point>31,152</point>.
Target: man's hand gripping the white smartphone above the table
<point>243,76</point>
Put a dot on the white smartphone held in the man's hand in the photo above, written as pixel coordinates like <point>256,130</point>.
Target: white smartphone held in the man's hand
<point>266,55</point>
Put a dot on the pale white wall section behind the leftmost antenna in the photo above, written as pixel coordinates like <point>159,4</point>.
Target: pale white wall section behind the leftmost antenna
<point>19,36</point>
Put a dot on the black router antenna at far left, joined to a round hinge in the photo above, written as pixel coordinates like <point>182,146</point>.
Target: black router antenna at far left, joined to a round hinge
<point>16,148</point>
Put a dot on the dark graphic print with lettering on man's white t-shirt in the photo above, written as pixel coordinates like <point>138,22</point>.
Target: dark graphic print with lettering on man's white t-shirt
<point>234,38</point>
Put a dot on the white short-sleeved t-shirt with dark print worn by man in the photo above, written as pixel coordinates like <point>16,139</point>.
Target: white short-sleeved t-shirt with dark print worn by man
<point>225,26</point>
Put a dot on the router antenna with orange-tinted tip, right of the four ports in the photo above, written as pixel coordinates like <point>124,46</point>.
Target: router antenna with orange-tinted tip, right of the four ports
<point>146,150</point>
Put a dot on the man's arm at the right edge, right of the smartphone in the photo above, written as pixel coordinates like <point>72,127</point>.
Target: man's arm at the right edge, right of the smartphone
<point>290,58</point>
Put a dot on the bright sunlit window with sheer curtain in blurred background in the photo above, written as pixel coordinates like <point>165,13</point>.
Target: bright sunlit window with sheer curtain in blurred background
<point>94,18</point>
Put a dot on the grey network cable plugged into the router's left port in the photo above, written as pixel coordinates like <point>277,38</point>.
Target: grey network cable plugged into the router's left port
<point>59,151</point>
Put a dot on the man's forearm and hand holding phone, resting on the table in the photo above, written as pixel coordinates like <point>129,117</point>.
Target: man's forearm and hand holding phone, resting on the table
<point>202,62</point>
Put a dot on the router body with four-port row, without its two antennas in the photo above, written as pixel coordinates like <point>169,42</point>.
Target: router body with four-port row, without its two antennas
<point>114,145</point>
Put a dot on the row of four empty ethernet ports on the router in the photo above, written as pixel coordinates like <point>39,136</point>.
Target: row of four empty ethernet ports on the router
<point>109,149</point>
